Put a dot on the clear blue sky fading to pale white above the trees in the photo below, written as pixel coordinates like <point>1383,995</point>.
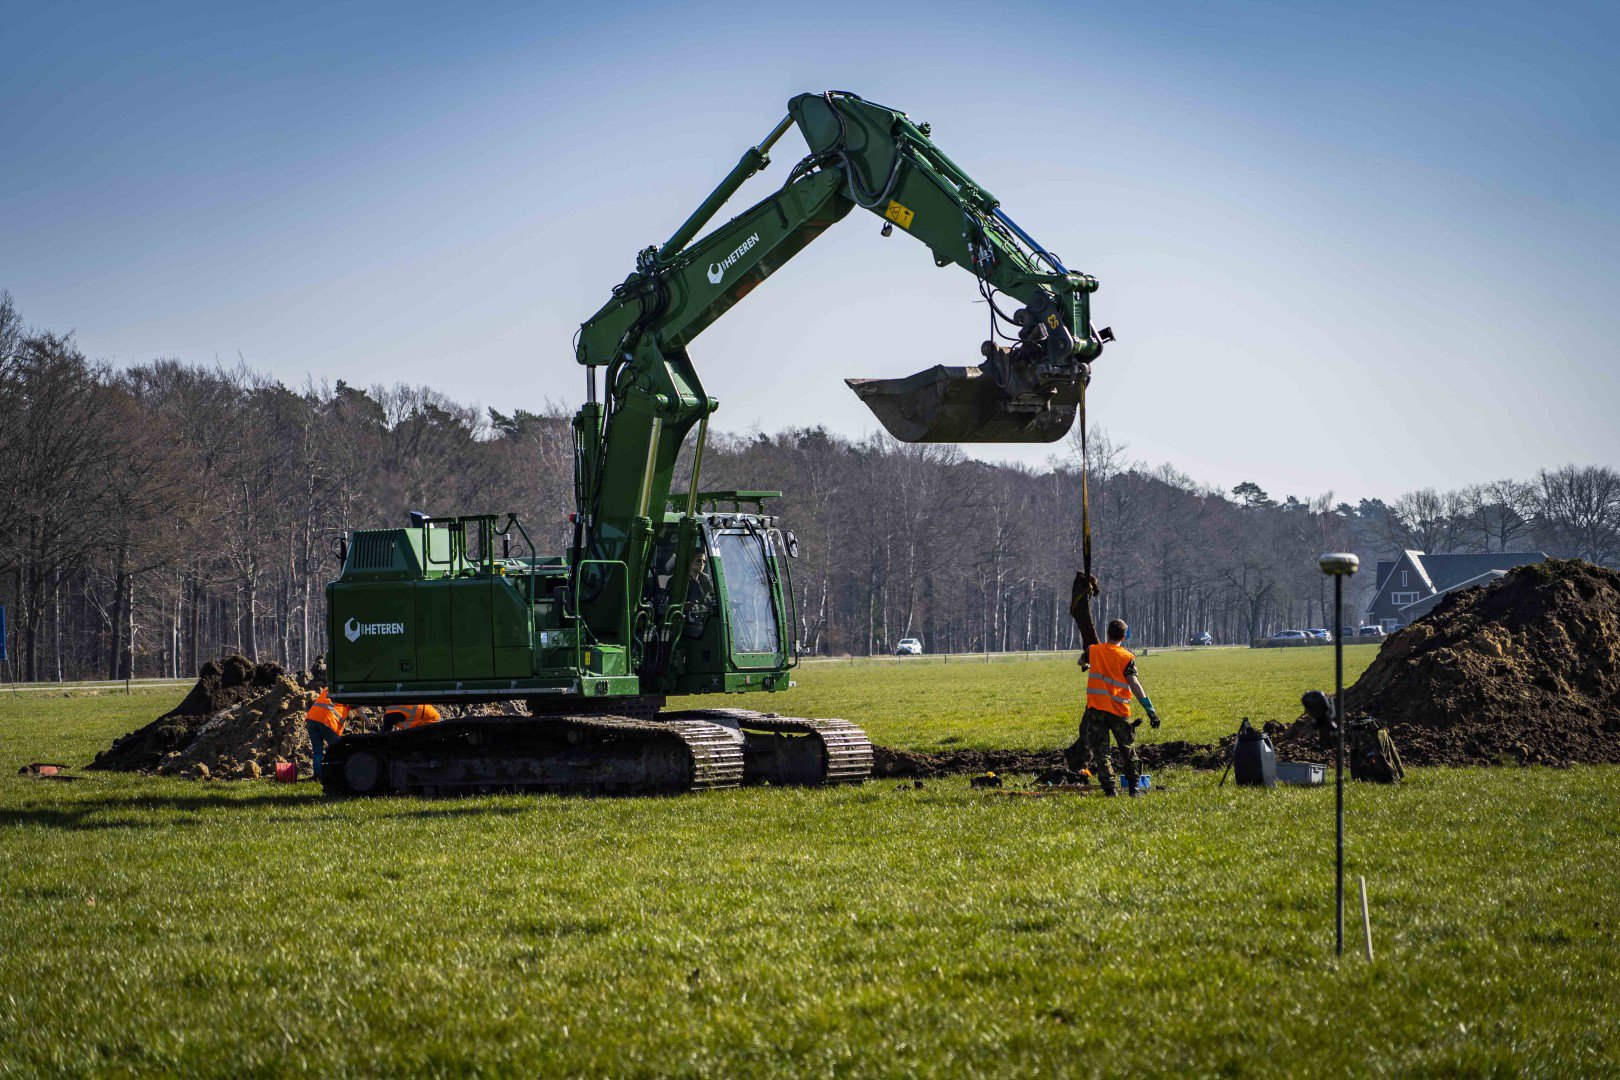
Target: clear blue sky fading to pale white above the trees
<point>1357,249</point>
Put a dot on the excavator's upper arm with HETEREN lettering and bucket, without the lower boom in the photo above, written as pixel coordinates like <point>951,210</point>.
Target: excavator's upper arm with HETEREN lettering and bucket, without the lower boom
<point>874,158</point>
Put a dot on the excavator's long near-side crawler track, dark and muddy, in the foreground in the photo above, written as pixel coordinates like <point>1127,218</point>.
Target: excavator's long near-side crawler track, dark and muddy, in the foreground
<point>558,755</point>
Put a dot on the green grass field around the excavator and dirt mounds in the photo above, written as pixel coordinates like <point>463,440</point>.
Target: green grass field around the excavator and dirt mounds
<point>250,929</point>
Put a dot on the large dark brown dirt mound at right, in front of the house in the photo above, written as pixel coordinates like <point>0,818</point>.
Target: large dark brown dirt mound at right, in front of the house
<point>1525,671</point>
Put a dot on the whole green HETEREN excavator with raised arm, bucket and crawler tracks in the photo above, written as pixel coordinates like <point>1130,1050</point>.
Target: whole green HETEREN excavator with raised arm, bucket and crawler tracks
<point>667,592</point>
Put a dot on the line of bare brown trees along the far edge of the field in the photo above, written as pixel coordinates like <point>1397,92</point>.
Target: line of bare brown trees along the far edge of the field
<point>158,516</point>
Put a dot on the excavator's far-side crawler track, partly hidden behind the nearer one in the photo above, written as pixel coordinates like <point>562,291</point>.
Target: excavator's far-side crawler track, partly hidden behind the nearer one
<point>791,750</point>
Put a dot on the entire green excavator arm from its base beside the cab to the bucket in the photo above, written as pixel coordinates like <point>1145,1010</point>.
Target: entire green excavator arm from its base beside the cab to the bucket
<point>864,156</point>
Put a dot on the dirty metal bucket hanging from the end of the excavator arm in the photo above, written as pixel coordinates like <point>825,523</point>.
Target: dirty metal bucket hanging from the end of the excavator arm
<point>966,406</point>
